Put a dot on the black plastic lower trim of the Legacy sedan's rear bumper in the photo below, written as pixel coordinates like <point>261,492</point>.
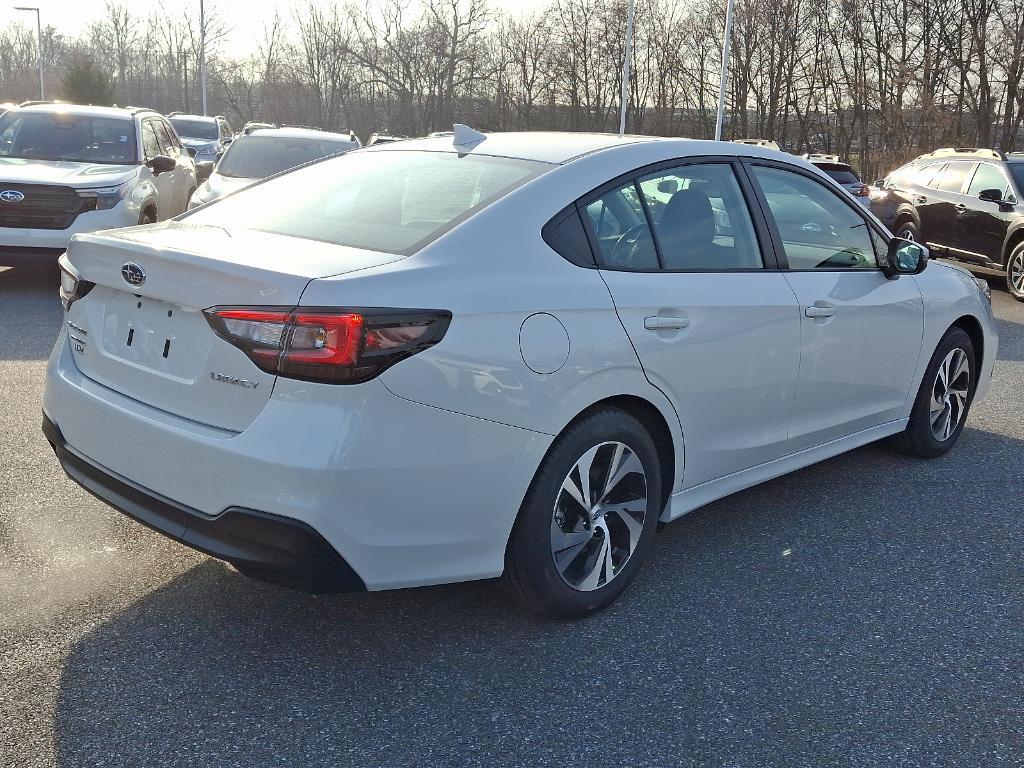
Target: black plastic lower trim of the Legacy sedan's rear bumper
<point>269,547</point>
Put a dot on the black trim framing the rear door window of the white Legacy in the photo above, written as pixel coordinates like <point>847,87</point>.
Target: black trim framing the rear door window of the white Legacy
<point>770,252</point>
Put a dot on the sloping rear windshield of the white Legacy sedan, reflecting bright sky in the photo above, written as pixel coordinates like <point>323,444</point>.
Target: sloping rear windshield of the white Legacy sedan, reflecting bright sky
<point>395,202</point>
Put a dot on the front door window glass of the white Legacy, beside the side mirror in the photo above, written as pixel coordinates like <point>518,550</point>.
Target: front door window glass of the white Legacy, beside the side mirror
<point>819,230</point>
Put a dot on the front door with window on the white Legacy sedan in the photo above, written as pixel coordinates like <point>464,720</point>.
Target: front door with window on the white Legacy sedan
<point>861,332</point>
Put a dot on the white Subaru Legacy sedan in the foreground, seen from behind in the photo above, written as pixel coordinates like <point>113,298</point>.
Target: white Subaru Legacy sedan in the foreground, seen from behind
<point>506,356</point>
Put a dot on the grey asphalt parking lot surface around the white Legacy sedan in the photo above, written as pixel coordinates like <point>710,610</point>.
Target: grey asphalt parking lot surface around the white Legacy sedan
<point>867,612</point>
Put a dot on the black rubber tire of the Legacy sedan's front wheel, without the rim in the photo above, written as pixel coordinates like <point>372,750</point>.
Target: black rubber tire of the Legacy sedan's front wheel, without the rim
<point>919,439</point>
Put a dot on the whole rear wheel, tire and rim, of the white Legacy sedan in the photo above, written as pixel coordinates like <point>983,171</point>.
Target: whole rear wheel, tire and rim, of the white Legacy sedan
<point>588,522</point>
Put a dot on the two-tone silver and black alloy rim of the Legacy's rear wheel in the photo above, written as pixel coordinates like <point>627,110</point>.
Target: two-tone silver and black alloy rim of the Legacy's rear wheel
<point>599,517</point>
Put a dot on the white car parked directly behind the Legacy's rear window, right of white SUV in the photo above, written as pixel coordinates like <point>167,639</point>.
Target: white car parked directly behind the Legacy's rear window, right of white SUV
<point>265,152</point>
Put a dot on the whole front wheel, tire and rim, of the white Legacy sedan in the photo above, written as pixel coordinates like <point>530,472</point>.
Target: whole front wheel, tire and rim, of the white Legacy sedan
<point>945,399</point>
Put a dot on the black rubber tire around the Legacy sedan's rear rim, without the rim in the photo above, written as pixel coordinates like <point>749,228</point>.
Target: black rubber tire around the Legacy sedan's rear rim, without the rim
<point>531,574</point>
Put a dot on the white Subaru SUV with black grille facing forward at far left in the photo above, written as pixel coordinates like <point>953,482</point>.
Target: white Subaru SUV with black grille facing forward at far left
<point>67,169</point>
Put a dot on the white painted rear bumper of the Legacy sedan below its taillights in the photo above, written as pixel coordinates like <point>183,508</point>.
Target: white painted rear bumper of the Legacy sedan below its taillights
<point>408,495</point>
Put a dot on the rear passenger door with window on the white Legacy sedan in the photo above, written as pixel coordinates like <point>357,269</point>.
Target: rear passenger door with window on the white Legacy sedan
<point>714,324</point>
